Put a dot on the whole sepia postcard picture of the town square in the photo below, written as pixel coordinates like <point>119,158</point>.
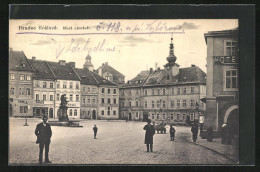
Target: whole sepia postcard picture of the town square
<point>123,91</point>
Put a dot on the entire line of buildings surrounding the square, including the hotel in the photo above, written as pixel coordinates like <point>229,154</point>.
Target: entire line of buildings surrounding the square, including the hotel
<point>171,94</point>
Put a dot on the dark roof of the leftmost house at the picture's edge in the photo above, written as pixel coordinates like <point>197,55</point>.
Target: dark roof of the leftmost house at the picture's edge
<point>16,61</point>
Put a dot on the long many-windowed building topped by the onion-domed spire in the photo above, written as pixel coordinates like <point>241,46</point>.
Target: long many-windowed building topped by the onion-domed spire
<point>170,94</point>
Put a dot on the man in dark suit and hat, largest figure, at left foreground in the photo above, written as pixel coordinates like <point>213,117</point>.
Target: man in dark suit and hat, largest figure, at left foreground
<point>43,133</point>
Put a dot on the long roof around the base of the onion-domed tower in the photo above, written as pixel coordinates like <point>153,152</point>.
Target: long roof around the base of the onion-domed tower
<point>158,77</point>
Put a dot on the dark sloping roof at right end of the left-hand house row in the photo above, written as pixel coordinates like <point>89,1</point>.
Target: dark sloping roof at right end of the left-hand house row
<point>91,78</point>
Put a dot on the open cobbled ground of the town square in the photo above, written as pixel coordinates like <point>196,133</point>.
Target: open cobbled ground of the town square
<point>118,142</point>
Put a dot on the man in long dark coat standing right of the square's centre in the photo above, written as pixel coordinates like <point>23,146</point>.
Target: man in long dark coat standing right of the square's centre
<point>150,131</point>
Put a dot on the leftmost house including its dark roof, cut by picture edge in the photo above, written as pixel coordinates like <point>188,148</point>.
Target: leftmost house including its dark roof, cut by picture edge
<point>20,85</point>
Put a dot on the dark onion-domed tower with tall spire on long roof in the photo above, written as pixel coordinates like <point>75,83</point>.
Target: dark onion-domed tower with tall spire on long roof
<point>171,68</point>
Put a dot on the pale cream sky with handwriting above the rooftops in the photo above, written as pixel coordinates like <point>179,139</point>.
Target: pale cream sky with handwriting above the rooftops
<point>129,46</point>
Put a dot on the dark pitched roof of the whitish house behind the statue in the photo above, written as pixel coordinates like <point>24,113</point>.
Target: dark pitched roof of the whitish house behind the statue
<point>64,72</point>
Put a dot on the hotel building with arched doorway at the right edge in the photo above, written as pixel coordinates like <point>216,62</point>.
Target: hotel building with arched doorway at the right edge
<point>222,96</point>
